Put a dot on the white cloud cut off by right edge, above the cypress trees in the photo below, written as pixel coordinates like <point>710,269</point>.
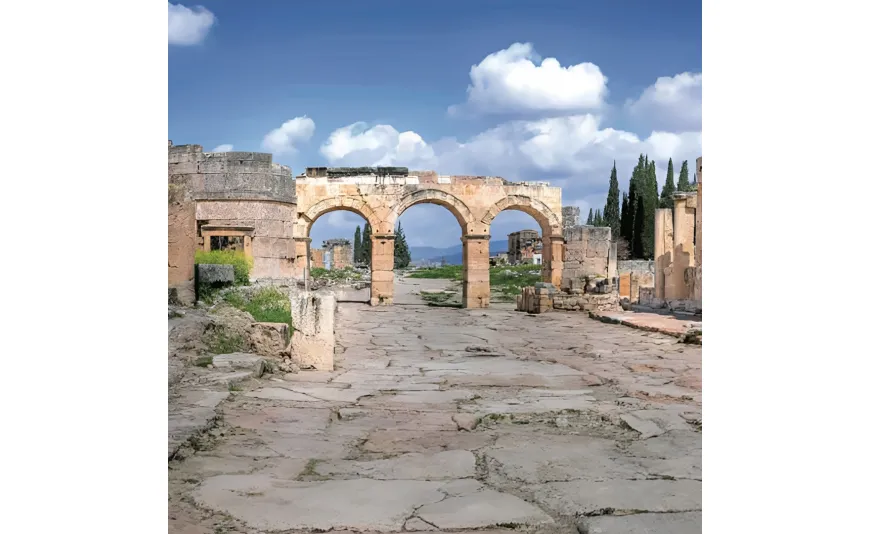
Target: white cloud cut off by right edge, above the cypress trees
<point>670,103</point>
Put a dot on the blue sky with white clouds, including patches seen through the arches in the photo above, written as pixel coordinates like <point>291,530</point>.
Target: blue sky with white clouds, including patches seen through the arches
<point>540,90</point>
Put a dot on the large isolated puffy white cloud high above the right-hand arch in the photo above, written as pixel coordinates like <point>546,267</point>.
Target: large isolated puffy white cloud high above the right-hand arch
<point>512,80</point>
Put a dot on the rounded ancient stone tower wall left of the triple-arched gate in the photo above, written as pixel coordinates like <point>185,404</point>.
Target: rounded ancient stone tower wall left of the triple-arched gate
<point>244,193</point>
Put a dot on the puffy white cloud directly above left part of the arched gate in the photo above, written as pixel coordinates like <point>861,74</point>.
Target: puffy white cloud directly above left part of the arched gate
<point>380,145</point>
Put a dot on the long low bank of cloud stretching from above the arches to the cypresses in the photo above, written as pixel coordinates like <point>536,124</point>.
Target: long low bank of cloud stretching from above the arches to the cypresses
<point>572,152</point>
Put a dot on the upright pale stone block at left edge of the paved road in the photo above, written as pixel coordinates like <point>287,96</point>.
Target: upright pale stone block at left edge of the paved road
<point>312,345</point>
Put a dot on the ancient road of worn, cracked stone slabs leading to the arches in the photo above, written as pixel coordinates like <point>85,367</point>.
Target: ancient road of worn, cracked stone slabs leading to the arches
<point>446,419</point>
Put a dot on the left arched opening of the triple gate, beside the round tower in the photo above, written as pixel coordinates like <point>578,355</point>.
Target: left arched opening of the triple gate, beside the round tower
<point>339,252</point>
